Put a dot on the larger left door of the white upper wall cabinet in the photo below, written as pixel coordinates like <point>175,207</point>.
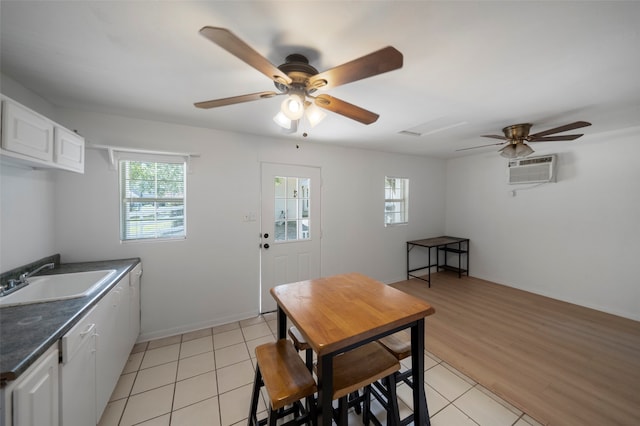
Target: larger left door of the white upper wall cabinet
<point>27,133</point>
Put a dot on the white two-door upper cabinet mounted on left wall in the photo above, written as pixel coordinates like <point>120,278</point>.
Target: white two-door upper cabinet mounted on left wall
<point>32,139</point>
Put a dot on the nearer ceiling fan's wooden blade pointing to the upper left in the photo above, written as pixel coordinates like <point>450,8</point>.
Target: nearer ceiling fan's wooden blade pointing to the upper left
<point>241,50</point>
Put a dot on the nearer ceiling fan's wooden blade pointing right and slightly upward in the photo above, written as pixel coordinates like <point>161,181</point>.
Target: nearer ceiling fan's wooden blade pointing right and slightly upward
<point>378,62</point>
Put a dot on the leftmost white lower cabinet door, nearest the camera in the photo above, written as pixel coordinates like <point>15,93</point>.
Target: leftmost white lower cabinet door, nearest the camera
<point>35,398</point>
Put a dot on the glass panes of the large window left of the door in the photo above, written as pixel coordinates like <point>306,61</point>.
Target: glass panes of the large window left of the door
<point>152,200</point>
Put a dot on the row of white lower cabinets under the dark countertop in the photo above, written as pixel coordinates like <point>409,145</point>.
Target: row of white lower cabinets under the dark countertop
<point>75,391</point>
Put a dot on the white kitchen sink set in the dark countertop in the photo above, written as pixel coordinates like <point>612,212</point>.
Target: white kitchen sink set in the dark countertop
<point>47,288</point>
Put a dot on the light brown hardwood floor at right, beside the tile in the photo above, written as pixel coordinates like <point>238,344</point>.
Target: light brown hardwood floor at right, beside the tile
<point>561,363</point>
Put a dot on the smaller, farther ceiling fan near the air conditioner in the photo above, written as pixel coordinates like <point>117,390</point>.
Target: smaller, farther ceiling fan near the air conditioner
<point>516,136</point>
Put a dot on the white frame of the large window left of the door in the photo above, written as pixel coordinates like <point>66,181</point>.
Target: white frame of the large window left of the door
<point>158,159</point>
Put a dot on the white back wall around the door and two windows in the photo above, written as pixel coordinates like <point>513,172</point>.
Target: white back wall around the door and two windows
<point>212,277</point>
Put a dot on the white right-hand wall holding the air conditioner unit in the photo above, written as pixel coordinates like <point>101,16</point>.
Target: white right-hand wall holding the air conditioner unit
<point>576,240</point>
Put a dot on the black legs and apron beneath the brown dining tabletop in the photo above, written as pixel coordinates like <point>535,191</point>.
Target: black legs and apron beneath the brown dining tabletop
<point>325,370</point>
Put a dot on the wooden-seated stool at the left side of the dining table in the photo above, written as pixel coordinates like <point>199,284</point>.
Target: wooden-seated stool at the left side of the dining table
<point>287,380</point>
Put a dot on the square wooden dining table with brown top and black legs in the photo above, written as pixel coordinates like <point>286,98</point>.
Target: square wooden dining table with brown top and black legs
<point>338,313</point>
